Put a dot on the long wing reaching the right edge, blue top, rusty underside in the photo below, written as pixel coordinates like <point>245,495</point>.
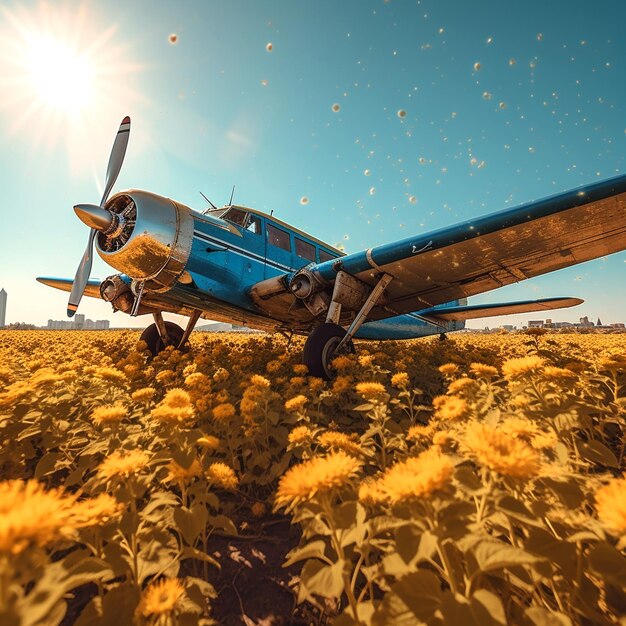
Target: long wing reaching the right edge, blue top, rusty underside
<point>492,251</point>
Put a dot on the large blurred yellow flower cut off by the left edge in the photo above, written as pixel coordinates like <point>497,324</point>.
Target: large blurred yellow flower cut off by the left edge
<point>30,515</point>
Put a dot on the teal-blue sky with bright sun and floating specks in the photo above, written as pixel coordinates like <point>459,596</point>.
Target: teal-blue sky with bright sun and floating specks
<point>504,103</point>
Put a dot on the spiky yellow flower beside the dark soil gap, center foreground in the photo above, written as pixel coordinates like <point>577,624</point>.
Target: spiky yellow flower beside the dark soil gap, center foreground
<point>318,475</point>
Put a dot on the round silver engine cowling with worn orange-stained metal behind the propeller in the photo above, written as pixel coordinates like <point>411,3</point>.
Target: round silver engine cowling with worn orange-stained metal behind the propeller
<point>149,238</point>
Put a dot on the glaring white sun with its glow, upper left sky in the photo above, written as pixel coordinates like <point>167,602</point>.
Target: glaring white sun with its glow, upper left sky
<point>64,74</point>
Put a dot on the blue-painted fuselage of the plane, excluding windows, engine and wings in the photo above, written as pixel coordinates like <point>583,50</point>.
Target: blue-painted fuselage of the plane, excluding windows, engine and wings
<point>225,265</point>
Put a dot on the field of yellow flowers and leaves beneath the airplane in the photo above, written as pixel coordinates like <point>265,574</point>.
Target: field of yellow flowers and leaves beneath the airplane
<point>473,481</point>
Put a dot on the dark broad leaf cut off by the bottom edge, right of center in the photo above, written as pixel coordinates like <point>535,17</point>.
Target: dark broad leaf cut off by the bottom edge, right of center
<point>411,600</point>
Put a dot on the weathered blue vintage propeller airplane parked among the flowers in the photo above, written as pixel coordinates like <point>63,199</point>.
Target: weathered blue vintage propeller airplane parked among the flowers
<point>240,265</point>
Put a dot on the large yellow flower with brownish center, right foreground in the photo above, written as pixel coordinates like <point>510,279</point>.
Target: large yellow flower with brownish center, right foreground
<point>501,452</point>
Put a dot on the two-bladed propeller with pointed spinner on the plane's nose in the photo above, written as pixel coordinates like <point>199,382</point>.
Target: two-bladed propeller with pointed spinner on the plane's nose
<point>96,216</point>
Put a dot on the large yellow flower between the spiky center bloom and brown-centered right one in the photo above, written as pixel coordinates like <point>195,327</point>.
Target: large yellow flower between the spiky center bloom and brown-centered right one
<point>417,477</point>
